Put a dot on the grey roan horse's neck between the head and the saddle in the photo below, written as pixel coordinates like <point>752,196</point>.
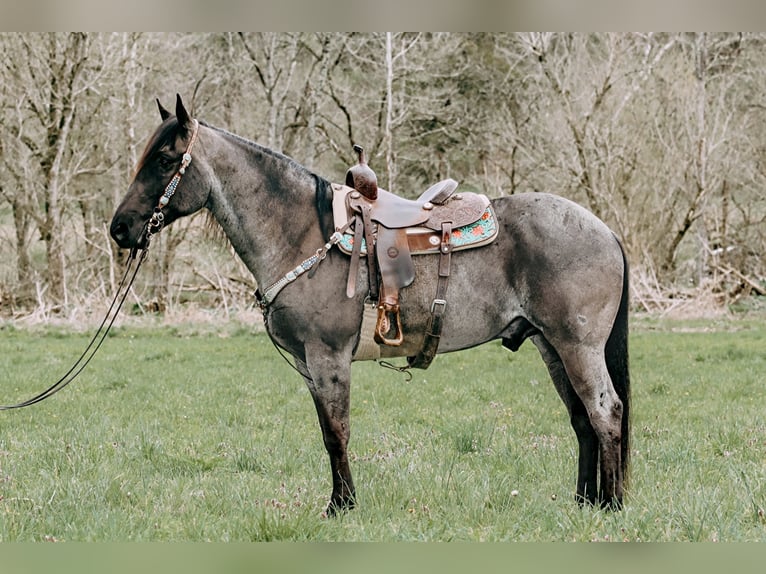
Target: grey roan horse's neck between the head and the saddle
<point>267,207</point>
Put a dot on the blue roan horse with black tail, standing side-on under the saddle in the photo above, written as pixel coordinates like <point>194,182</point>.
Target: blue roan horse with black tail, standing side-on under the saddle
<point>555,274</point>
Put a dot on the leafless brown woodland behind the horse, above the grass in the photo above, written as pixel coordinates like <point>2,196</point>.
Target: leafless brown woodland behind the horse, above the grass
<point>661,135</point>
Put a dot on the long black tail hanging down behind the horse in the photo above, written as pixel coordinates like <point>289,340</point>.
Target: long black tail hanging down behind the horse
<point>616,353</point>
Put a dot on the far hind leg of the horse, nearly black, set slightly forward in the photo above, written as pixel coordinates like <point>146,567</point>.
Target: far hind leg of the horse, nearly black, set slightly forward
<point>587,440</point>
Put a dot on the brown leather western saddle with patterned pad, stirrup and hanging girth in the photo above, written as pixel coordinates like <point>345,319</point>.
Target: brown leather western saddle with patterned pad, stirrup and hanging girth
<point>389,229</point>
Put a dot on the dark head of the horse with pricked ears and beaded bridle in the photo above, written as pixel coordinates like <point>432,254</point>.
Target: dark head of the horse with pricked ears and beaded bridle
<point>161,171</point>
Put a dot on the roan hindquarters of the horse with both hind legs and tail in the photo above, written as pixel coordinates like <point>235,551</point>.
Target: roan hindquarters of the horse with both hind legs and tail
<point>570,276</point>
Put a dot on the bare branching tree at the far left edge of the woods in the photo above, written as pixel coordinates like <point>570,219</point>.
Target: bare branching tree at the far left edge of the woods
<point>53,69</point>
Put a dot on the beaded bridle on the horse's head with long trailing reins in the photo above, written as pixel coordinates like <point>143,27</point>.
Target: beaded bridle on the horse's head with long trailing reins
<point>153,226</point>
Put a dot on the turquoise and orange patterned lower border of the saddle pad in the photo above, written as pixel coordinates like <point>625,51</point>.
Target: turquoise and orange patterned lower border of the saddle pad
<point>423,240</point>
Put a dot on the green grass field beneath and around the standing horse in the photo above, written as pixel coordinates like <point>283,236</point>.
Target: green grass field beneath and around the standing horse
<point>190,434</point>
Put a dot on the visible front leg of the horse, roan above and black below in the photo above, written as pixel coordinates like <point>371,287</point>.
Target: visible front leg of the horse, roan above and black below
<point>328,378</point>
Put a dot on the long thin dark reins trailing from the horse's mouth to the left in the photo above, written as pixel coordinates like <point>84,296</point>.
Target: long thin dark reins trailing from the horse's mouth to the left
<point>97,339</point>
